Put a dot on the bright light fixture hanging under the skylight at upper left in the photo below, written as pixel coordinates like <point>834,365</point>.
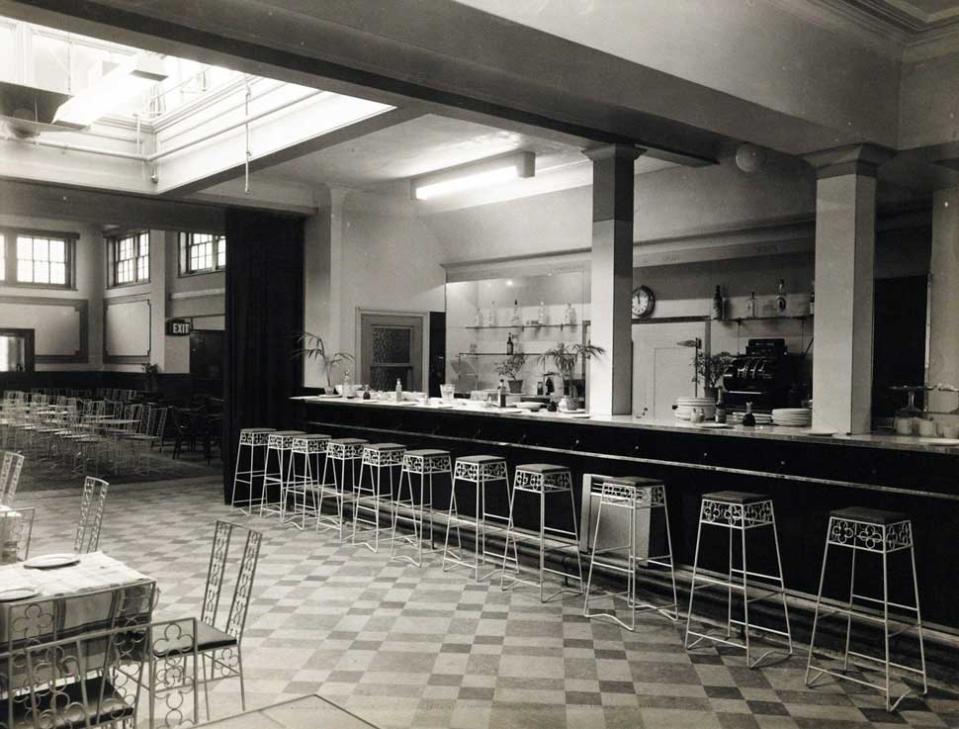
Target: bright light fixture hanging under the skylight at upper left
<point>118,86</point>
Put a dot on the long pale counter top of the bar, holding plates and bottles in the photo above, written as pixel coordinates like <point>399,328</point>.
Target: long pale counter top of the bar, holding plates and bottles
<point>774,432</point>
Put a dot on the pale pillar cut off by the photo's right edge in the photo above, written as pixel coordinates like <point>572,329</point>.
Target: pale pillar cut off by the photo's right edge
<point>944,298</point>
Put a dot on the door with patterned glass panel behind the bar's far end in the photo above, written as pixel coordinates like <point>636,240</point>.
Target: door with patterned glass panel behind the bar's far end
<point>391,349</point>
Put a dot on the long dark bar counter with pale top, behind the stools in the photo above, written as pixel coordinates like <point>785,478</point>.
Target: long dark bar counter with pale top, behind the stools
<point>807,475</point>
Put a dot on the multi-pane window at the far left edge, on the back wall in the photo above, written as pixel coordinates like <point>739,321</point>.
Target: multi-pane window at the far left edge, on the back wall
<point>36,259</point>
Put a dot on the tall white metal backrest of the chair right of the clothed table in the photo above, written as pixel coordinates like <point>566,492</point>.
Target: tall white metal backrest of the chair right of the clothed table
<point>219,556</point>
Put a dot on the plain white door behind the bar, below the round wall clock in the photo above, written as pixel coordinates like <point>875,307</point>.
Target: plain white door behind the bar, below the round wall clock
<point>663,368</point>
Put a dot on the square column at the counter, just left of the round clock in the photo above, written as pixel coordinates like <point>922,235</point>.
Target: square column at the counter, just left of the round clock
<point>610,375</point>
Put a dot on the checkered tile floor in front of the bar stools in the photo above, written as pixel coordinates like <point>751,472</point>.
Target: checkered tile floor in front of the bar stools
<point>408,647</point>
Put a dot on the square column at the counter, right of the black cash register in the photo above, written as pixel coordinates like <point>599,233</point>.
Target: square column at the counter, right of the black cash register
<point>845,254</point>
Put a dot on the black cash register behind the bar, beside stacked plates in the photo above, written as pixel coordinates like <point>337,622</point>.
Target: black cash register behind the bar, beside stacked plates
<point>767,375</point>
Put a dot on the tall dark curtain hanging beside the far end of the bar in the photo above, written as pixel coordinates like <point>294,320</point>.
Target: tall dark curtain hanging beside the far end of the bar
<point>264,316</point>
